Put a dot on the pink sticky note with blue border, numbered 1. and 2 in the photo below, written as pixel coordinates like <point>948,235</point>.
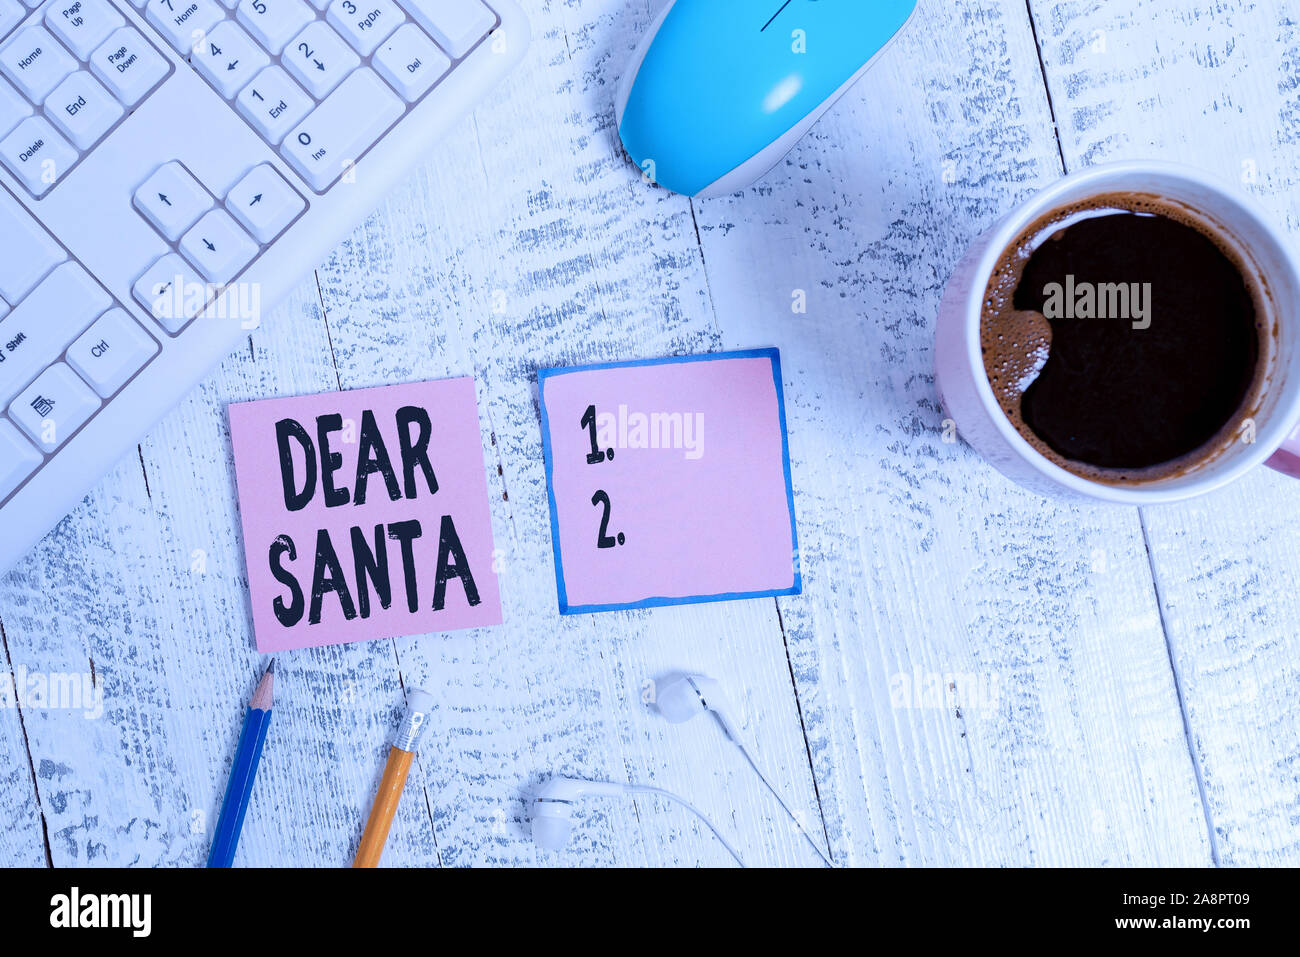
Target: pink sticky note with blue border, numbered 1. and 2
<point>670,482</point>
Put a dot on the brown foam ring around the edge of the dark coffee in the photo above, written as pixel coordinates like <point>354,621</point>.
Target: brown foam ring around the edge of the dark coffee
<point>1016,344</point>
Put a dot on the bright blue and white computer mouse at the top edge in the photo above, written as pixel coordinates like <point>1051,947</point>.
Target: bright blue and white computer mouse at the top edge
<point>721,90</point>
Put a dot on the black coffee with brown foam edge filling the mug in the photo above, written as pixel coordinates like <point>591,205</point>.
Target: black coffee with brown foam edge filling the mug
<point>1125,339</point>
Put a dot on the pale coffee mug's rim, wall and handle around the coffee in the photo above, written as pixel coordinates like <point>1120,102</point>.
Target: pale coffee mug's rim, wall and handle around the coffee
<point>968,397</point>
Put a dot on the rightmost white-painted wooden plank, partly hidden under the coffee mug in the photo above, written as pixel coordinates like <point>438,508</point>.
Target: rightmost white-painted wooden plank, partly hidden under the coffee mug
<point>1210,84</point>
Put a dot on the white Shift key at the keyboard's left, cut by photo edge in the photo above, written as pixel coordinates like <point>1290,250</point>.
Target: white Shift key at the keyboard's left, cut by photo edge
<point>41,327</point>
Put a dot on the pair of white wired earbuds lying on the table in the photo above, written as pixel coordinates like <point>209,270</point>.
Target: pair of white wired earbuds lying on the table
<point>679,700</point>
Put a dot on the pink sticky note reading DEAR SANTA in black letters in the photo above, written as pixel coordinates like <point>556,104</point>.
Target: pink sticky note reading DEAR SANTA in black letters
<point>398,547</point>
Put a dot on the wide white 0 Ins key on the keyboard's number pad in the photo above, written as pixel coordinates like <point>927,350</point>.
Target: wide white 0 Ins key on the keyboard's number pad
<point>341,129</point>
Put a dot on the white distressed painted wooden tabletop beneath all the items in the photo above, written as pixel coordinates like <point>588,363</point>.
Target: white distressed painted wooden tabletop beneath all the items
<point>1098,686</point>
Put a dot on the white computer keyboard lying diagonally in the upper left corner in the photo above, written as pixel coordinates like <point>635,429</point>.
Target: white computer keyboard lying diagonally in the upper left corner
<point>168,172</point>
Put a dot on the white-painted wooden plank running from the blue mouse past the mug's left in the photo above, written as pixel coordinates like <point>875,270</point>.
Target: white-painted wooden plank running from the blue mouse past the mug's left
<point>1046,729</point>
